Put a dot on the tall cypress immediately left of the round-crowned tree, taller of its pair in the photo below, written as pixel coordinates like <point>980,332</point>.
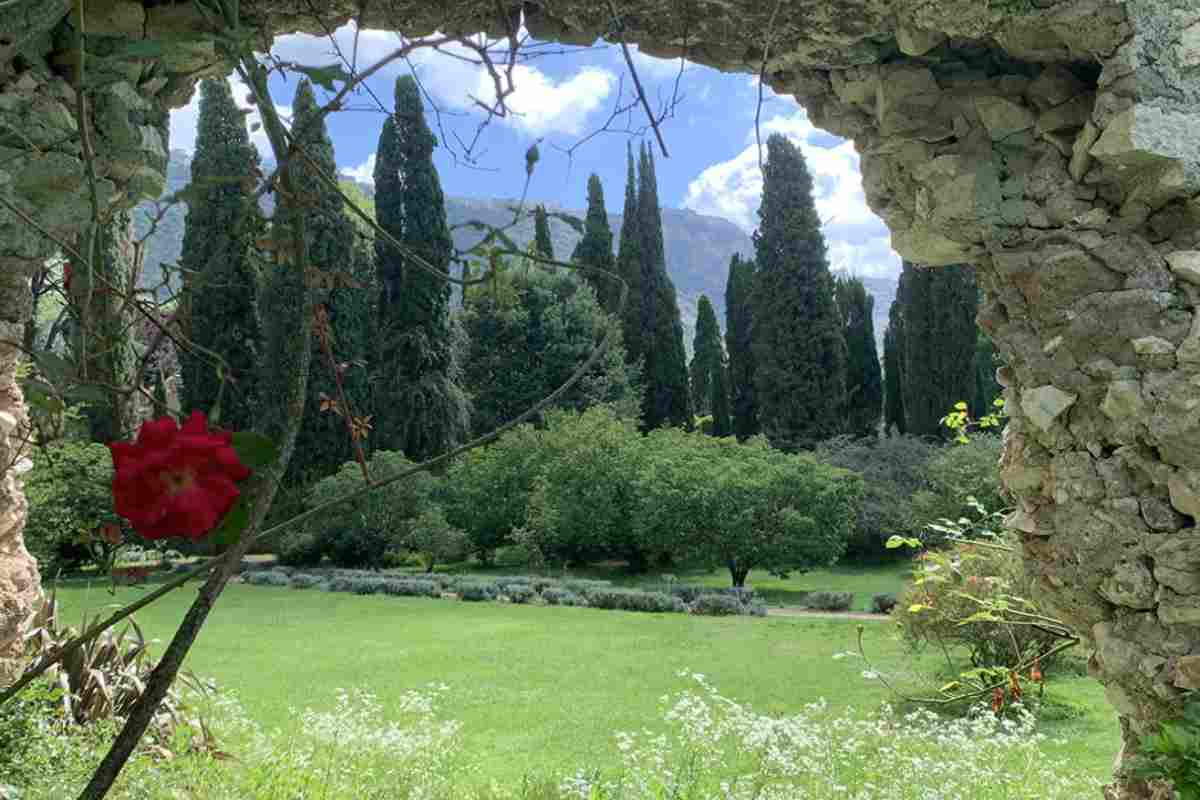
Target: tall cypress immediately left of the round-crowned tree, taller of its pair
<point>422,410</point>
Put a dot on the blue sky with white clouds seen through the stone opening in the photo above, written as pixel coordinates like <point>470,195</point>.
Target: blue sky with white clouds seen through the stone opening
<point>561,98</point>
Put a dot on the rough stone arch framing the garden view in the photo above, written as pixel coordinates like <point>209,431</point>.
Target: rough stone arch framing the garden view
<point>1048,142</point>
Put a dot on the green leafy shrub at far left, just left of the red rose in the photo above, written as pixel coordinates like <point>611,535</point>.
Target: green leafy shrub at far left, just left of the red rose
<point>70,498</point>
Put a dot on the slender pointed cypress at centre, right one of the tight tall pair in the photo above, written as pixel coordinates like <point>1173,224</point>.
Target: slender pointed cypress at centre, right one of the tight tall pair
<point>665,372</point>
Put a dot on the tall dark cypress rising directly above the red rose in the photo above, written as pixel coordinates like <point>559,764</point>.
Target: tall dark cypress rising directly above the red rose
<point>220,264</point>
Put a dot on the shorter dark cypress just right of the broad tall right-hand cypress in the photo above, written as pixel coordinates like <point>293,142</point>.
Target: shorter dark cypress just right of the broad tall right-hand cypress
<point>865,380</point>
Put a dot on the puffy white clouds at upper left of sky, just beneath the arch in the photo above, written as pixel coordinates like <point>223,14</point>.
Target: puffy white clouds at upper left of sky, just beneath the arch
<point>541,104</point>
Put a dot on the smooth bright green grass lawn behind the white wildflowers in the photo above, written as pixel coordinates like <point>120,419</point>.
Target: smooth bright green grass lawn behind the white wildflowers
<point>542,690</point>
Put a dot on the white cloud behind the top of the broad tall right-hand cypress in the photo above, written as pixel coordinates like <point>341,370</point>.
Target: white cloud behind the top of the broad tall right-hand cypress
<point>859,240</point>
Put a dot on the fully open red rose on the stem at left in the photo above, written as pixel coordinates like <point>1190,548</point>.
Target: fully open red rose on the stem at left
<point>176,482</point>
